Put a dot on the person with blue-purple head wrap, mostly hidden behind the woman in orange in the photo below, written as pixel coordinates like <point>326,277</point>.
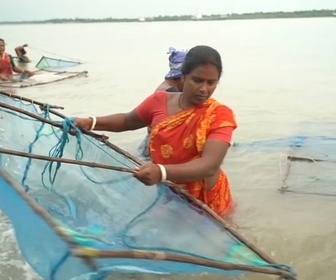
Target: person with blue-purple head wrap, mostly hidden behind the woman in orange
<point>172,83</point>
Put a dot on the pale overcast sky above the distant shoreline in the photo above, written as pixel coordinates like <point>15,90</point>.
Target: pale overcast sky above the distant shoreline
<point>22,10</point>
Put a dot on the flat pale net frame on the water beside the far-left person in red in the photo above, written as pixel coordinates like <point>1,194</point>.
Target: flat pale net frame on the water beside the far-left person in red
<point>40,77</point>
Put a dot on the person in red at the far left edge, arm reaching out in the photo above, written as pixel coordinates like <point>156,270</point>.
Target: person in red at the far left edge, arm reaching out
<point>7,65</point>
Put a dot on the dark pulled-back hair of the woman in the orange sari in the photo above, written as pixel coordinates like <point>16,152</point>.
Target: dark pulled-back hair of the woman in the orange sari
<point>201,55</point>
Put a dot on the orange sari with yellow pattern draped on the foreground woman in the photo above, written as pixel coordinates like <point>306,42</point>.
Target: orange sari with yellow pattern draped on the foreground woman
<point>180,138</point>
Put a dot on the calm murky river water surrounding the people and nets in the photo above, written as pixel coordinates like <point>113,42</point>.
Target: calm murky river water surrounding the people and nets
<point>279,78</point>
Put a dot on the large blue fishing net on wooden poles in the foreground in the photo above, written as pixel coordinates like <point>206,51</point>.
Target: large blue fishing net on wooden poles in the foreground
<point>78,212</point>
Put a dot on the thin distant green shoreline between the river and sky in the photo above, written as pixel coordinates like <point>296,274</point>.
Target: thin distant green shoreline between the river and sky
<point>233,16</point>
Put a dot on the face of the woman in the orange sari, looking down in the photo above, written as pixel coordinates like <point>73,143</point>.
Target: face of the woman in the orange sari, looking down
<point>200,84</point>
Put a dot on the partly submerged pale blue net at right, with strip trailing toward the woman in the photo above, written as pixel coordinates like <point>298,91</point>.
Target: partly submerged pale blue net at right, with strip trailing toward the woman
<point>308,159</point>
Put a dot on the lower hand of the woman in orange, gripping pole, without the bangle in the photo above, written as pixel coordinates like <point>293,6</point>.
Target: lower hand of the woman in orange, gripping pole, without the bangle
<point>148,173</point>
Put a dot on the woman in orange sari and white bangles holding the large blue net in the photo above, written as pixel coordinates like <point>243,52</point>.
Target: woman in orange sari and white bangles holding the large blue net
<point>191,132</point>
